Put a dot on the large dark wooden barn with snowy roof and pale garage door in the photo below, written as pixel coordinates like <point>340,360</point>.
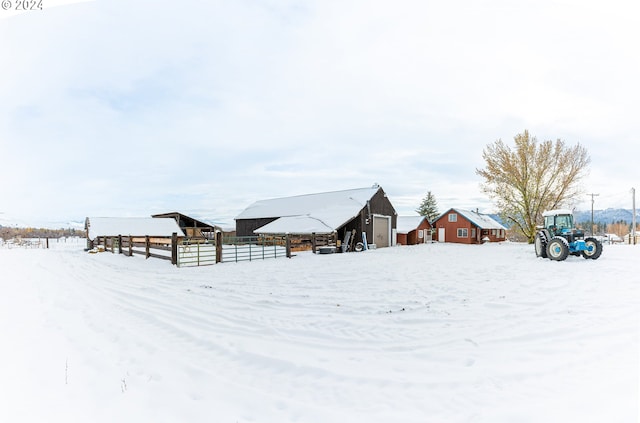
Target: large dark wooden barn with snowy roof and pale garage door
<point>365,212</point>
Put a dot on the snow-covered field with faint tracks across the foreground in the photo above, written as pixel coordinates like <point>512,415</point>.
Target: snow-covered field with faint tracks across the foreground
<point>427,333</point>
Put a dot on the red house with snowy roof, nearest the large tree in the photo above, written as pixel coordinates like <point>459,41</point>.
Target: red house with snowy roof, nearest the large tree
<point>467,227</point>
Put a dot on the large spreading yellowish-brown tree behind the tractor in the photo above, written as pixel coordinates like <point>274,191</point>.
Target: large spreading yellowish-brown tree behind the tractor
<point>531,178</point>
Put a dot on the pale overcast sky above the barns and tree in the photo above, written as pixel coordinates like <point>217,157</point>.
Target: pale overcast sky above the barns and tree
<point>121,108</point>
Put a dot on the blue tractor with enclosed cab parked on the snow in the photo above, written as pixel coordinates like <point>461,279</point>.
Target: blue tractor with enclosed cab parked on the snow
<point>558,238</point>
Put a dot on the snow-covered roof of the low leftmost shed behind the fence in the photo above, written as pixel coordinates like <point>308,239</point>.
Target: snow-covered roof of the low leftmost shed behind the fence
<point>139,226</point>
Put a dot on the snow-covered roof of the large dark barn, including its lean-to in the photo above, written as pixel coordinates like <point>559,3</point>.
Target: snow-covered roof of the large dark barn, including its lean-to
<point>329,209</point>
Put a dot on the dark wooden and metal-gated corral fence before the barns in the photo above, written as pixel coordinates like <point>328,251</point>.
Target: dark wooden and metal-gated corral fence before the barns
<point>196,251</point>
